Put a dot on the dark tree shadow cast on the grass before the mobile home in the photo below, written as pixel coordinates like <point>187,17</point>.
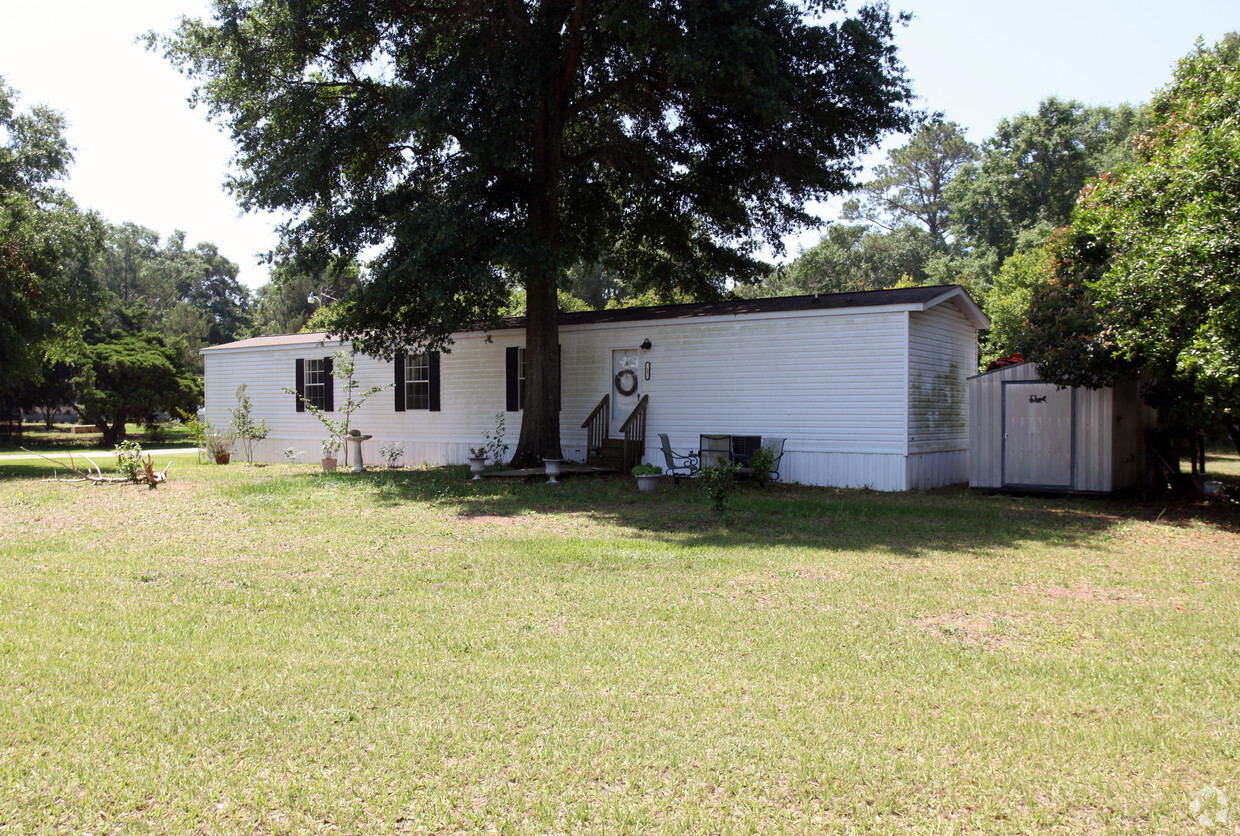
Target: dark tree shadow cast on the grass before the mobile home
<point>910,525</point>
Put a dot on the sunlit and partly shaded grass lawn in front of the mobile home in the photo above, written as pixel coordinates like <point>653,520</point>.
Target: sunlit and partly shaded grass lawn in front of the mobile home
<point>262,651</point>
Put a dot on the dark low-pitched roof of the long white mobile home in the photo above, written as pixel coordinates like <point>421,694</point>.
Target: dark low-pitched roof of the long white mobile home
<point>898,298</point>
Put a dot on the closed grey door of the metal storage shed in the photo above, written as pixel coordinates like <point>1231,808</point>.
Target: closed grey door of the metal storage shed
<point>1037,436</point>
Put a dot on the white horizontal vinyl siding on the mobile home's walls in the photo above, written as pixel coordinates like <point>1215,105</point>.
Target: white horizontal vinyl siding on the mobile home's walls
<point>834,383</point>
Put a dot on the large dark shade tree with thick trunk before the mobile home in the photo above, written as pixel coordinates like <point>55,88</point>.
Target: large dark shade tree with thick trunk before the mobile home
<point>488,146</point>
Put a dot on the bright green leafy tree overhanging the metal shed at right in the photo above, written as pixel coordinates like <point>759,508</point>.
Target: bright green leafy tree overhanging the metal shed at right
<point>1156,272</point>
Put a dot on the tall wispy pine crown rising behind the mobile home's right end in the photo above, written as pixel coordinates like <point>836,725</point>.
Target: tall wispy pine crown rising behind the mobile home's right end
<point>910,188</point>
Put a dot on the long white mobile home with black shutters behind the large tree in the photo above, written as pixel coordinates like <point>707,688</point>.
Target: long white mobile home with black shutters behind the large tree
<point>867,389</point>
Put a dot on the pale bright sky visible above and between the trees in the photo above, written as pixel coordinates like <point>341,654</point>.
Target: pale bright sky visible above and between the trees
<point>144,156</point>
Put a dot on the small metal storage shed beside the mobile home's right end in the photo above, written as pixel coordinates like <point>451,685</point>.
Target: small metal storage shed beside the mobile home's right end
<point>1027,435</point>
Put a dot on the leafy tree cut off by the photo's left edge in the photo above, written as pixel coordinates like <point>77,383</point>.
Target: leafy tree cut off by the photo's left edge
<point>46,245</point>
